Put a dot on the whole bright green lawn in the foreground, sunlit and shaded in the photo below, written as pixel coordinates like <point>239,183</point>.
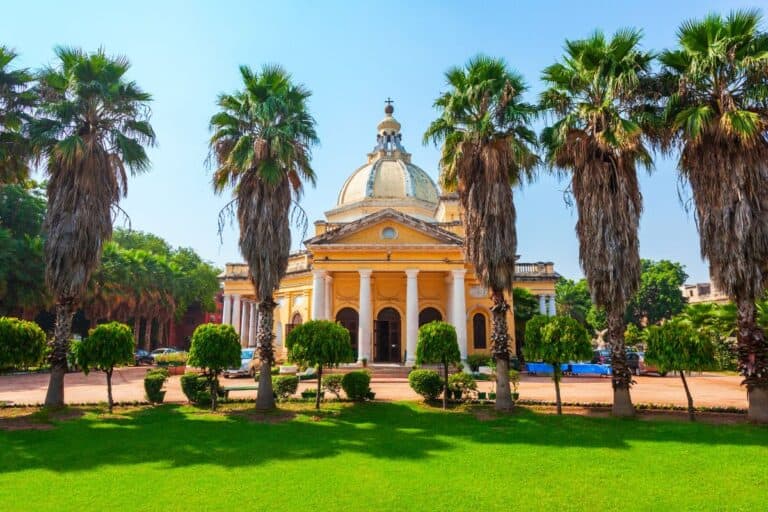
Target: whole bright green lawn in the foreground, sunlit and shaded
<point>380,456</point>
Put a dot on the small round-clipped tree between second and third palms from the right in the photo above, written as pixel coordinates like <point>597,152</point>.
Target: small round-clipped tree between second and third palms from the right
<point>557,340</point>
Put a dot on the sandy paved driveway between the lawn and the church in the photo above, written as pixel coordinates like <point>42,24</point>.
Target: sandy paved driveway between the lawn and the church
<point>708,389</point>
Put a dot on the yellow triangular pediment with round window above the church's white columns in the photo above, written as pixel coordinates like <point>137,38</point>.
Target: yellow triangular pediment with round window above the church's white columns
<point>372,230</point>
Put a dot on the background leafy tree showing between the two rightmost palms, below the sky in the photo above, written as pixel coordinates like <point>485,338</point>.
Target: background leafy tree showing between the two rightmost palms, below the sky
<point>659,296</point>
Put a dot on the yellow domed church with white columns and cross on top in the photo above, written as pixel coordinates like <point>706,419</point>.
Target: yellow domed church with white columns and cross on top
<point>388,257</point>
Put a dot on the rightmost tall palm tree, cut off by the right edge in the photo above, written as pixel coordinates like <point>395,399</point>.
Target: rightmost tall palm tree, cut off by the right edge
<point>717,117</point>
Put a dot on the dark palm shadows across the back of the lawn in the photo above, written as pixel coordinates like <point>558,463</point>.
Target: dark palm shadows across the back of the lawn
<point>177,436</point>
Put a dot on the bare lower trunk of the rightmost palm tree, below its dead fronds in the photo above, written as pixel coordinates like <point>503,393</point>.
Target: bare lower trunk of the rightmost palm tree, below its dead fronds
<point>753,359</point>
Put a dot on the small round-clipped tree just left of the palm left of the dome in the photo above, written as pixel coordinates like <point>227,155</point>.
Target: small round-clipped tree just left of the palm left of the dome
<point>215,347</point>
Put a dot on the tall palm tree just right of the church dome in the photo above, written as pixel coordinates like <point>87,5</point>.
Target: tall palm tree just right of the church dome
<point>487,148</point>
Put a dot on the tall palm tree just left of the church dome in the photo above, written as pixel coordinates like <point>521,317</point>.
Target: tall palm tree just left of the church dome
<point>262,142</point>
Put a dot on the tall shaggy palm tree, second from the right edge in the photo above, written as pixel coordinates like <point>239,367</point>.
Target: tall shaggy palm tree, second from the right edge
<point>594,102</point>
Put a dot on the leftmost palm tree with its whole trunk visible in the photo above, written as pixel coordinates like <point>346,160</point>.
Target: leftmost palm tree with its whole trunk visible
<point>92,128</point>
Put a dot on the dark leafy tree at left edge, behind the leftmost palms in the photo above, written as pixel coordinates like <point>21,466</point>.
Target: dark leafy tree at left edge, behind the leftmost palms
<point>22,265</point>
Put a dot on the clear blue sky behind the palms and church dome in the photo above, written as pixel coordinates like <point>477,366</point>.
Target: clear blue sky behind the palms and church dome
<point>352,55</point>
